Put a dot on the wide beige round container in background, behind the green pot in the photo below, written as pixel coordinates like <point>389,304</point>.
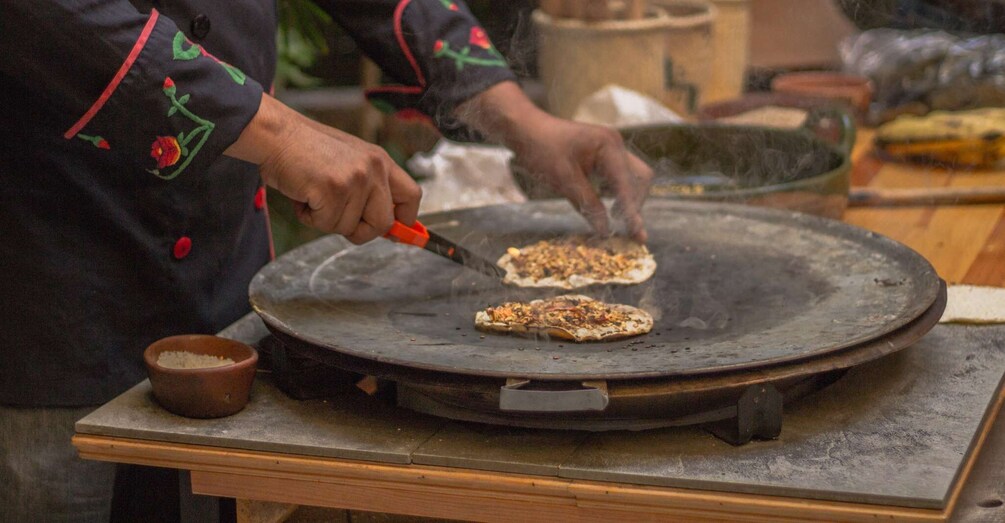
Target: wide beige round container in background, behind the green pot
<point>577,59</point>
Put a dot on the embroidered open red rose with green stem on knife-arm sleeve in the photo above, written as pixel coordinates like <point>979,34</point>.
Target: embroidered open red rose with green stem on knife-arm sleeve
<point>169,150</point>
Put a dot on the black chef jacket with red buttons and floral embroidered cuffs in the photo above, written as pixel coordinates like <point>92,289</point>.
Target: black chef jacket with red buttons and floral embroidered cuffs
<point>122,221</point>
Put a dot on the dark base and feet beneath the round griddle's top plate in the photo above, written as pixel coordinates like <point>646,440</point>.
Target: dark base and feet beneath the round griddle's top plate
<point>305,372</point>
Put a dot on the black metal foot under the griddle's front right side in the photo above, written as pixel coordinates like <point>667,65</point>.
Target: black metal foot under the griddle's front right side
<point>759,415</point>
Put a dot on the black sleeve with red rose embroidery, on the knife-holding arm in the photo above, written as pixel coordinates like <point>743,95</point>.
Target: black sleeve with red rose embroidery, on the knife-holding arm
<point>127,81</point>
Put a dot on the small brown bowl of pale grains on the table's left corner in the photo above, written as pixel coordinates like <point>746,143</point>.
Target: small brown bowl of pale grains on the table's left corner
<point>208,392</point>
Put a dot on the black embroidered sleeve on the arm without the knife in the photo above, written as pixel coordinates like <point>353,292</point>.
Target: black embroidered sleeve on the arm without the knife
<point>435,51</point>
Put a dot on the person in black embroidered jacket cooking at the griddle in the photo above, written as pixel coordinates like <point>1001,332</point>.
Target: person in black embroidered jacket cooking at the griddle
<point>138,145</point>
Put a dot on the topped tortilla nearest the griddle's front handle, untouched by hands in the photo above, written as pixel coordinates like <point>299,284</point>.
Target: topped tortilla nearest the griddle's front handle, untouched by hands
<point>559,318</point>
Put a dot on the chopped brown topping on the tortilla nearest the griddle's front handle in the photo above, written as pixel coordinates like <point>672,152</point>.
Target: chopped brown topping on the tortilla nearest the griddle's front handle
<point>564,311</point>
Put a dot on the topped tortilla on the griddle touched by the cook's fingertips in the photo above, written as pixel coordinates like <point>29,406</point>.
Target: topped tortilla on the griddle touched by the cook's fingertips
<point>586,266</point>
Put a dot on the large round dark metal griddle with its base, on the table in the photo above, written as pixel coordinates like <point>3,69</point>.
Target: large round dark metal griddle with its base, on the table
<point>849,297</point>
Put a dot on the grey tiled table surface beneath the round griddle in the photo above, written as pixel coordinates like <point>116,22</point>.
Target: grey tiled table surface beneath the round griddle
<point>894,432</point>
